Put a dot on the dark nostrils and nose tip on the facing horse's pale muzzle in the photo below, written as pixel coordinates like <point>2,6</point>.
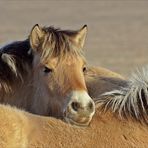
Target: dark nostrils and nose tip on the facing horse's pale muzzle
<point>80,108</point>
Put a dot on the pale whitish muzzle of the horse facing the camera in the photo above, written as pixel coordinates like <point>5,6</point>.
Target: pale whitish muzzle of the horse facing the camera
<point>80,109</point>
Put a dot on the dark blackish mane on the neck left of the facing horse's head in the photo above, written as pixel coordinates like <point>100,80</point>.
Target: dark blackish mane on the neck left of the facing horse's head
<point>18,55</point>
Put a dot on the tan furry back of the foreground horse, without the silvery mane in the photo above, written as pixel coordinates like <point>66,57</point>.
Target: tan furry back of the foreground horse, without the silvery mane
<point>28,131</point>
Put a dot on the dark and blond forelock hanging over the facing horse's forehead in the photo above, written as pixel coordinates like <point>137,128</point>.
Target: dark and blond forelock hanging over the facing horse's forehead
<point>58,44</point>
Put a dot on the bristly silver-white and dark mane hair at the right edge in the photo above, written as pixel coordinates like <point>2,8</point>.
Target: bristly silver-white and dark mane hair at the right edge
<point>130,100</point>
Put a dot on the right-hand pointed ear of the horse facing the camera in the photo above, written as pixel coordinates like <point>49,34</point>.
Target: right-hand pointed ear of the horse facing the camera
<point>80,36</point>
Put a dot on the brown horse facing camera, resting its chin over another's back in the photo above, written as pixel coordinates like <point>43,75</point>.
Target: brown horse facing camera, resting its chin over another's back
<point>46,75</point>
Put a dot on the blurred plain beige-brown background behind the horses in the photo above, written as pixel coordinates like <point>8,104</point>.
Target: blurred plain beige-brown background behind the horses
<point>117,29</point>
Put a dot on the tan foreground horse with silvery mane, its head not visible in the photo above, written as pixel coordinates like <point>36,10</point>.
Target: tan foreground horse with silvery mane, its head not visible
<point>119,121</point>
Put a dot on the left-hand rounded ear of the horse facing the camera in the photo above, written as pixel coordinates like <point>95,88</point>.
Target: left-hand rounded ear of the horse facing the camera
<point>36,36</point>
